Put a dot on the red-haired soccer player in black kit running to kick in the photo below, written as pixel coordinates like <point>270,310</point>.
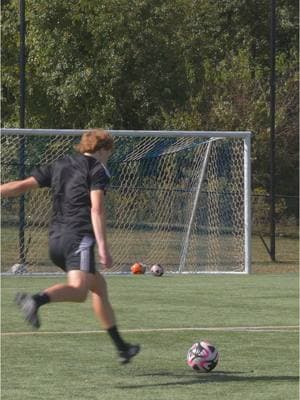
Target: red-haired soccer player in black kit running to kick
<point>78,183</point>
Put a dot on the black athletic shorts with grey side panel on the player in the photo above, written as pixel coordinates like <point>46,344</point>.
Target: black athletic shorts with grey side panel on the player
<point>72,252</point>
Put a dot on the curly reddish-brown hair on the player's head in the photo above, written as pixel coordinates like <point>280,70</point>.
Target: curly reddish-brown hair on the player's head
<point>94,140</point>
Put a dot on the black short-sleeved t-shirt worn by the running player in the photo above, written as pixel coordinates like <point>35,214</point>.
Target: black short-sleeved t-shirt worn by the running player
<point>71,179</point>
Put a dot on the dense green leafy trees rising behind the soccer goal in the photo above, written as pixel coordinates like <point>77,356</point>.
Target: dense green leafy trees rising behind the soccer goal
<point>158,64</point>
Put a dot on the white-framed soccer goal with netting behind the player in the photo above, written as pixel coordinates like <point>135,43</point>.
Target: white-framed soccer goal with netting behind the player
<point>177,198</point>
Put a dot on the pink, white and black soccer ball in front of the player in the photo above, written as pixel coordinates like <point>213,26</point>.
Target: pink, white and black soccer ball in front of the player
<point>203,356</point>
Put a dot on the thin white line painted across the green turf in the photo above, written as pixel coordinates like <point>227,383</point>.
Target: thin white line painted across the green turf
<point>277,328</point>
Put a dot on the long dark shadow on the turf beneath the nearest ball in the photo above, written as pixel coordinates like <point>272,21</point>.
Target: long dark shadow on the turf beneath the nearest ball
<point>203,378</point>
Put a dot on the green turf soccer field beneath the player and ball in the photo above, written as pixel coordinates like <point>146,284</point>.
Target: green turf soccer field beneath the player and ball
<point>252,320</point>
